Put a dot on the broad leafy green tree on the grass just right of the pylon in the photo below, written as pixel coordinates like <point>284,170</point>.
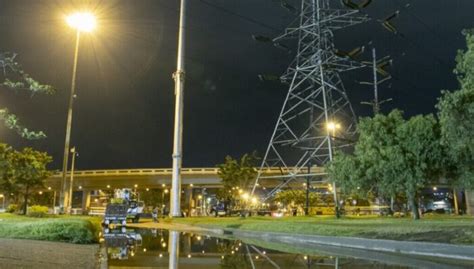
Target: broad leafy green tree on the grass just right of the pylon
<point>391,156</point>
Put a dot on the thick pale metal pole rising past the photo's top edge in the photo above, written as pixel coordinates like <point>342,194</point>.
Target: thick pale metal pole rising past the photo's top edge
<point>179,76</point>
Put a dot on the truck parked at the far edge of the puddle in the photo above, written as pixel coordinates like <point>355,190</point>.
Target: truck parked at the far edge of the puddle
<point>124,206</point>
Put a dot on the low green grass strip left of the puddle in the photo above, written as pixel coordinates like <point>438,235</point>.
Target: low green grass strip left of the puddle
<point>70,229</point>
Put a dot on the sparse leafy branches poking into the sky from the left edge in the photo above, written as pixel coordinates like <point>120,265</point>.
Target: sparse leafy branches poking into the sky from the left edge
<point>14,78</point>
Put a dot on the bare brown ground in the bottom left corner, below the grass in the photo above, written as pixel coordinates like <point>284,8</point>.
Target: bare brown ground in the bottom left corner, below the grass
<point>16,253</point>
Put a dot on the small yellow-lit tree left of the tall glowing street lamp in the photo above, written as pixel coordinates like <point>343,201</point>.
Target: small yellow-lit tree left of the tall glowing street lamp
<point>29,171</point>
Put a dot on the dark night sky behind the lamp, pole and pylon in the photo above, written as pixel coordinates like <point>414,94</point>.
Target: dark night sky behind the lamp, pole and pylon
<point>123,115</point>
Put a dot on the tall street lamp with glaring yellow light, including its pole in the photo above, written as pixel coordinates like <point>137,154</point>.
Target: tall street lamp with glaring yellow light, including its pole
<point>81,22</point>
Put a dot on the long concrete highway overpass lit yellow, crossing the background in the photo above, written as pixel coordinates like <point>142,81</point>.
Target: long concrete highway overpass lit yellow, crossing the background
<point>89,185</point>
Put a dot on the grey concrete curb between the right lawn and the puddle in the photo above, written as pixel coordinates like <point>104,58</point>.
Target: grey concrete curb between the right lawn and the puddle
<point>433,250</point>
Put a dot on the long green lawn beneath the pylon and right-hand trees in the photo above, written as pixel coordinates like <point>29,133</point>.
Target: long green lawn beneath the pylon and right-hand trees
<point>442,229</point>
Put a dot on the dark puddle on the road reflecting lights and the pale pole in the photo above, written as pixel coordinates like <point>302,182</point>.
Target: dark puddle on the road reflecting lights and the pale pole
<point>163,249</point>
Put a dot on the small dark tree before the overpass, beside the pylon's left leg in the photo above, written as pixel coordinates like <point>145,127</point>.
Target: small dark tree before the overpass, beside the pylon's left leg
<point>237,175</point>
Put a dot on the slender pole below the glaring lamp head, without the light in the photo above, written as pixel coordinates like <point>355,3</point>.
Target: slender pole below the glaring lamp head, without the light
<point>64,199</point>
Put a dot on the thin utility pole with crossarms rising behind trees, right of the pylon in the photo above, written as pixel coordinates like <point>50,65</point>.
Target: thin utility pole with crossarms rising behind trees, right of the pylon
<point>377,67</point>
